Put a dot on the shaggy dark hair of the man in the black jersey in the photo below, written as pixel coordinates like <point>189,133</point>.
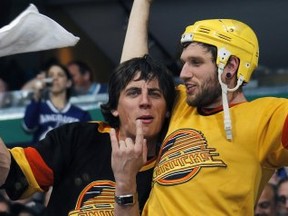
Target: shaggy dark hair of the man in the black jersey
<point>125,72</point>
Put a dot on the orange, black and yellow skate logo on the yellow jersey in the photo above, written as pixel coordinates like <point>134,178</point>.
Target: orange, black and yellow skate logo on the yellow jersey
<point>183,154</point>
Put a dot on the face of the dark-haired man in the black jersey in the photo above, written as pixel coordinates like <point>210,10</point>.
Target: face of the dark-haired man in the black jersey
<point>142,100</point>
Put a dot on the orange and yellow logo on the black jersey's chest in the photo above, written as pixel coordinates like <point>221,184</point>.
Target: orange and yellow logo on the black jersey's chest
<point>96,199</point>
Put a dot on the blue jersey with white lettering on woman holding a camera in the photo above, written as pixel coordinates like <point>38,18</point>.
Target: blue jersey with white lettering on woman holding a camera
<point>40,117</point>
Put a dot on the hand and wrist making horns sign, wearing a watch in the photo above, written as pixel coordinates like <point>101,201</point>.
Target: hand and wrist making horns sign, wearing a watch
<point>127,159</point>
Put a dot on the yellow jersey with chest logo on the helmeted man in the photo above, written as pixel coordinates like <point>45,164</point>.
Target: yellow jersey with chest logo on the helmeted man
<point>200,172</point>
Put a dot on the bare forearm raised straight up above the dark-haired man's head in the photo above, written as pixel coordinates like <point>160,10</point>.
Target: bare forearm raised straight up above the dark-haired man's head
<point>136,39</point>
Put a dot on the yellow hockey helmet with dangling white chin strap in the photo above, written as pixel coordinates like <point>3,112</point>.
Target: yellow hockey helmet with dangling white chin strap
<point>231,38</point>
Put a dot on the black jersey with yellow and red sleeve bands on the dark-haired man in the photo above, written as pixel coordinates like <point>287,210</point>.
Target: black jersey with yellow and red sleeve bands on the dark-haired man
<point>76,160</point>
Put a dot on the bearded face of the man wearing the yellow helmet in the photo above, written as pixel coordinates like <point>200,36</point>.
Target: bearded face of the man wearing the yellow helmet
<point>199,73</point>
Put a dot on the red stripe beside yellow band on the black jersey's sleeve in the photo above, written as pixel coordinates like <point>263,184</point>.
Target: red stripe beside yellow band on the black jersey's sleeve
<point>42,173</point>
